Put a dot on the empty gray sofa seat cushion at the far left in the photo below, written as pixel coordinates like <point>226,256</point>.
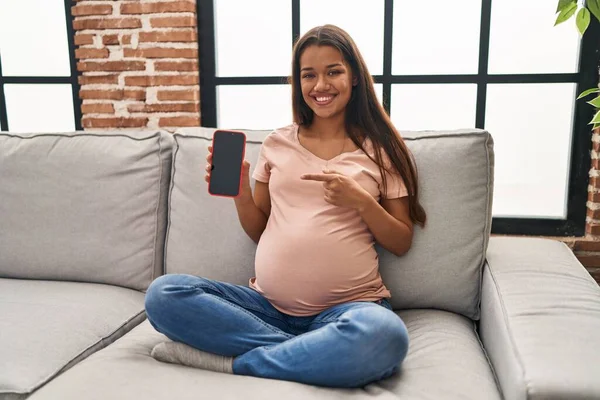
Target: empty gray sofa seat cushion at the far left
<point>47,327</point>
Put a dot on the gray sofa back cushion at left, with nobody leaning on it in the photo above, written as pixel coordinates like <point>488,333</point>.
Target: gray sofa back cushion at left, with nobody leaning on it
<point>84,206</point>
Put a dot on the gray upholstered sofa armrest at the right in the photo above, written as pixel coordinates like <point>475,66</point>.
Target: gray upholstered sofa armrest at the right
<point>540,320</point>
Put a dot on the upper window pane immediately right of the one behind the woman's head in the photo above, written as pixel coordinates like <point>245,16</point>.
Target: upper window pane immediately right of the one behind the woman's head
<point>436,37</point>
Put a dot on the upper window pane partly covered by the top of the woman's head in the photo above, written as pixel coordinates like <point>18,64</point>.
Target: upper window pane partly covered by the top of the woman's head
<point>363,20</point>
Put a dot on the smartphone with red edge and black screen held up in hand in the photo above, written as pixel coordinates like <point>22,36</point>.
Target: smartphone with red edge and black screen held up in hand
<point>229,149</point>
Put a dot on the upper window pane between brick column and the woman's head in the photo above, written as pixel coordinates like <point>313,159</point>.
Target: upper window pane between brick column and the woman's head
<point>253,38</point>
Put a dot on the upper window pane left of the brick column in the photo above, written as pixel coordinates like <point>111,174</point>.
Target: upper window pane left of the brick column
<point>33,38</point>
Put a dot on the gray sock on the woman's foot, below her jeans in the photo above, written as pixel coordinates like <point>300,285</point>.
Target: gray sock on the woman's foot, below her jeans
<point>181,353</point>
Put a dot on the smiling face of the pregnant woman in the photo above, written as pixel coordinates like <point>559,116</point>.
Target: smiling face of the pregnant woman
<point>326,81</point>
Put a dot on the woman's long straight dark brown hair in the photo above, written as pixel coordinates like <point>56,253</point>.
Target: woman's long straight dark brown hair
<point>365,117</point>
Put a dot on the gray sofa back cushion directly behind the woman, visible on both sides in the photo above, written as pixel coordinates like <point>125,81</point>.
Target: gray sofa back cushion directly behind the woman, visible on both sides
<point>443,268</point>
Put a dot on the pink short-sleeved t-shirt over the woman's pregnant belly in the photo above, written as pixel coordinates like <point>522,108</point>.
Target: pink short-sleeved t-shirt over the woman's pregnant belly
<point>313,254</point>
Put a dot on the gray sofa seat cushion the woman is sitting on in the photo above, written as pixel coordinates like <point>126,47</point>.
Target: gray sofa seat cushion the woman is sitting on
<point>445,361</point>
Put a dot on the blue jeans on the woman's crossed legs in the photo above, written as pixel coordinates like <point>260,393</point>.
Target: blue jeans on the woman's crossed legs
<point>347,345</point>
